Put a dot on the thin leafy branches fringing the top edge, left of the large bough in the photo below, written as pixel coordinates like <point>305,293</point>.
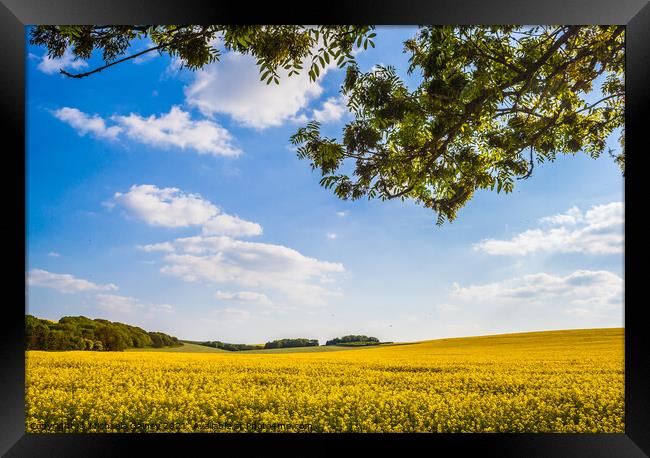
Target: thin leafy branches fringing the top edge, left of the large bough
<point>274,46</point>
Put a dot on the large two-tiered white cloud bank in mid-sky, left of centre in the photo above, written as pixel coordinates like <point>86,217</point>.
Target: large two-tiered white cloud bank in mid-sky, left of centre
<point>222,259</point>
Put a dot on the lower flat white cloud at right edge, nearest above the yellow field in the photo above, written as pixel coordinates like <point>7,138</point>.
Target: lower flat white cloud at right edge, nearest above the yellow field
<point>600,289</point>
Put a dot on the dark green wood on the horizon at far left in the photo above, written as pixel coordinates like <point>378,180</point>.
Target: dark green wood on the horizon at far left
<point>81,333</point>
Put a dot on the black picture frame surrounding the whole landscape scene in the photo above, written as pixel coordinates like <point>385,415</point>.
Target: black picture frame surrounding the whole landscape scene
<point>15,14</point>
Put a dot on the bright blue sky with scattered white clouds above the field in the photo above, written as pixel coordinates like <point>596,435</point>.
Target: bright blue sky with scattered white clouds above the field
<point>173,200</point>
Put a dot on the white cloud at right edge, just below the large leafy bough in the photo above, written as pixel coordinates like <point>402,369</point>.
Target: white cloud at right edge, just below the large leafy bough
<point>597,231</point>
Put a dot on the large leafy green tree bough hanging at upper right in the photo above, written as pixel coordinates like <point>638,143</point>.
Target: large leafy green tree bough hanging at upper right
<point>492,101</point>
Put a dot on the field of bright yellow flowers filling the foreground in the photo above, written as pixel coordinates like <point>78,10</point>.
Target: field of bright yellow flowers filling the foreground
<point>559,381</point>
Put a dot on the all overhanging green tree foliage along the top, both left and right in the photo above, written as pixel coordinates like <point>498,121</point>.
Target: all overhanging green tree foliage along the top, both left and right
<point>492,100</point>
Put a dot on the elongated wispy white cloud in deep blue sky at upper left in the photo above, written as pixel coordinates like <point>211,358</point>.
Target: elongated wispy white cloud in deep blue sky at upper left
<point>175,129</point>
